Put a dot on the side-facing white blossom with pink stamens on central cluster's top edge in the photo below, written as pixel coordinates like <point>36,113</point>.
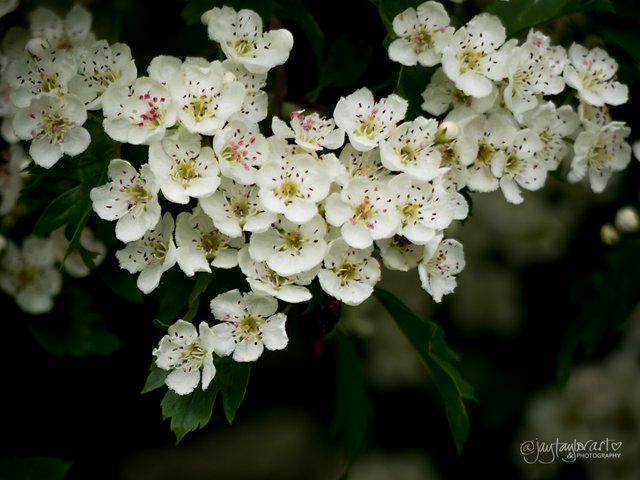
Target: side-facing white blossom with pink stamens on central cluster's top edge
<point>312,132</point>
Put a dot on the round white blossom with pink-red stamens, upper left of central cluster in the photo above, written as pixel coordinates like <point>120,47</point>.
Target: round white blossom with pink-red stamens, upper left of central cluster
<point>138,114</point>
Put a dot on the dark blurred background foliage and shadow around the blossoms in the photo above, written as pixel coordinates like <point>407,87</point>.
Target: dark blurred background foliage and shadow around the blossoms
<point>533,273</point>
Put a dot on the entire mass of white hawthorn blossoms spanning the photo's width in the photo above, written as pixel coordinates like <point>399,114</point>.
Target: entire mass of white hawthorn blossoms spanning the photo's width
<point>318,200</point>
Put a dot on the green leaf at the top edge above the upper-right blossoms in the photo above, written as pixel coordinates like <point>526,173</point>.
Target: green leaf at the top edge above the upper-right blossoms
<point>520,15</point>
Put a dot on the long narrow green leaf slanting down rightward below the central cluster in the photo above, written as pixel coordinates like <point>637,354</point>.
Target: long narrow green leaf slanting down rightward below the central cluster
<point>429,341</point>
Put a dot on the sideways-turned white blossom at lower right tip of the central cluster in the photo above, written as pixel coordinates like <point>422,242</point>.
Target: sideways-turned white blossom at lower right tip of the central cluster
<point>443,260</point>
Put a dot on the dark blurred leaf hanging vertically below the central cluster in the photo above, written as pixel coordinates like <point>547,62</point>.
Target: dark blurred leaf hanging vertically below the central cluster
<point>353,410</point>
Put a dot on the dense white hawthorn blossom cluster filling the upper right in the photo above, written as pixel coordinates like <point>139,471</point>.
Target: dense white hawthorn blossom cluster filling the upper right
<point>500,94</point>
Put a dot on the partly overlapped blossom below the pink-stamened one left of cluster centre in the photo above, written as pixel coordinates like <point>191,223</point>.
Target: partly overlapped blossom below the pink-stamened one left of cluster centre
<point>236,208</point>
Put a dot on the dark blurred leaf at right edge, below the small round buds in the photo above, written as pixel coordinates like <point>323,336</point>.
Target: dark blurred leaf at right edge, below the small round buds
<point>615,295</point>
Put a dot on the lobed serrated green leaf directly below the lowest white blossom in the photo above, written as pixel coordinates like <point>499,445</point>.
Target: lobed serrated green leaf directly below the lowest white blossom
<point>188,412</point>
